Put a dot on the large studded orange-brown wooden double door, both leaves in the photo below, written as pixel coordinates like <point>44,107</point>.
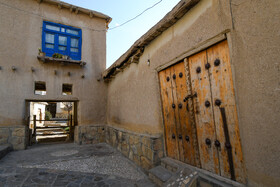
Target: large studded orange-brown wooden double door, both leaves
<point>200,117</point>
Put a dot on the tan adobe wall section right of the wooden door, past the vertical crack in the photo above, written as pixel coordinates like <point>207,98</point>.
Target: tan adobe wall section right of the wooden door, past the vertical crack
<point>256,62</point>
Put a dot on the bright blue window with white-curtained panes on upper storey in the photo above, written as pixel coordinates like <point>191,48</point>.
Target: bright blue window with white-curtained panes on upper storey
<point>62,39</point>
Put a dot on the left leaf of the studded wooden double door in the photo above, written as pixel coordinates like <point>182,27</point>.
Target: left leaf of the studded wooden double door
<point>180,138</point>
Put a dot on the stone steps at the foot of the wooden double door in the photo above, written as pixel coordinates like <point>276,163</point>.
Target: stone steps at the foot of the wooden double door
<point>172,172</point>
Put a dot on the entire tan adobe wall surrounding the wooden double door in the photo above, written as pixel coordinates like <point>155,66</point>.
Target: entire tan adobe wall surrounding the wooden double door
<point>134,94</point>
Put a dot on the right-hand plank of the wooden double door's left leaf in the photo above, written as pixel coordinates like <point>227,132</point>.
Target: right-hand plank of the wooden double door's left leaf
<point>188,150</point>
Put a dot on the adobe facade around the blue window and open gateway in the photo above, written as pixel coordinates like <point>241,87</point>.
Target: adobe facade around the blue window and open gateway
<point>21,36</point>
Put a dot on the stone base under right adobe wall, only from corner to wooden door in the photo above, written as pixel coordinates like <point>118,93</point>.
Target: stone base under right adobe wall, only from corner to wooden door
<point>145,151</point>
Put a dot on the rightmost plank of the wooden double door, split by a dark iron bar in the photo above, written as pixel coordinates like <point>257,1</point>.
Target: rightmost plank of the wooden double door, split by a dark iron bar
<point>222,89</point>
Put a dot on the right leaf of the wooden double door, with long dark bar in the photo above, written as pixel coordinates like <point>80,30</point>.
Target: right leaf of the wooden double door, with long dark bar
<point>216,118</point>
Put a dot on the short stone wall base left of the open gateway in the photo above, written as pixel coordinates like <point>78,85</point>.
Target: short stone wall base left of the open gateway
<point>14,136</point>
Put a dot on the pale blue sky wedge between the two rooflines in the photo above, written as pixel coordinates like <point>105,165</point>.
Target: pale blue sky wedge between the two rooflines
<point>119,40</point>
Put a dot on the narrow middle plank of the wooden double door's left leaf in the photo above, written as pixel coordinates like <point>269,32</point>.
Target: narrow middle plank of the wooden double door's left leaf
<point>178,120</point>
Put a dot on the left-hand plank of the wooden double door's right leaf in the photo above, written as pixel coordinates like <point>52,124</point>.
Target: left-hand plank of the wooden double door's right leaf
<point>204,115</point>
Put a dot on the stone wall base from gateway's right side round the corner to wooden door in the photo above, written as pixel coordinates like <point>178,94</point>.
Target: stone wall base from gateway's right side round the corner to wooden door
<point>146,151</point>
